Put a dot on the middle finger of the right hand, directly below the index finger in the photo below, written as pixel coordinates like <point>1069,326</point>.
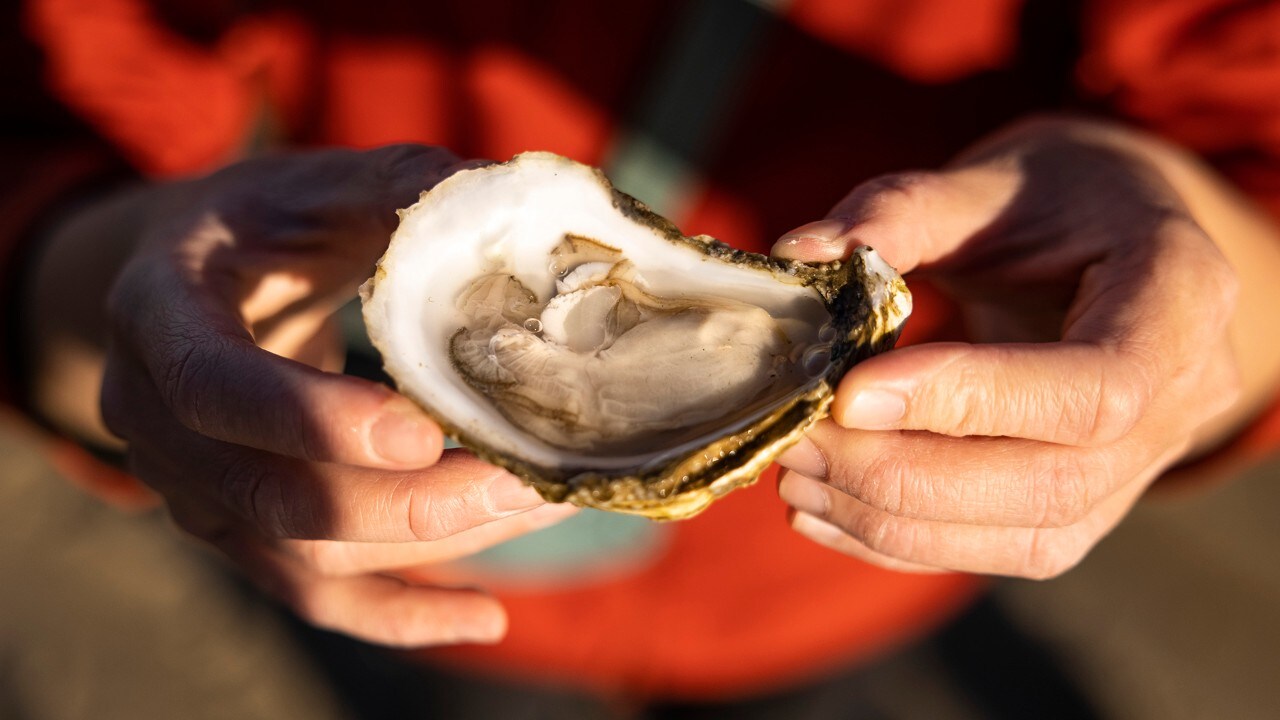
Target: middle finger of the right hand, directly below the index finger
<point>977,481</point>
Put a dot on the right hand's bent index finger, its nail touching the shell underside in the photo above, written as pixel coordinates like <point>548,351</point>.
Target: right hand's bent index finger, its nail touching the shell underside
<point>1126,340</point>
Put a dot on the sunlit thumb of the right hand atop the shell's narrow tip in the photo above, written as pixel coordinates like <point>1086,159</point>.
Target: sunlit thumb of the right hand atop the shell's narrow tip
<point>912,220</point>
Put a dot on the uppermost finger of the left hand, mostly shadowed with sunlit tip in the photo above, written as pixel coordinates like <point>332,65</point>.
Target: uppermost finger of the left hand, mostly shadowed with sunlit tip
<point>214,380</point>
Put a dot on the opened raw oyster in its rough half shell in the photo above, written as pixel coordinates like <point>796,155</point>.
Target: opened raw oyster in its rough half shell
<point>561,330</point>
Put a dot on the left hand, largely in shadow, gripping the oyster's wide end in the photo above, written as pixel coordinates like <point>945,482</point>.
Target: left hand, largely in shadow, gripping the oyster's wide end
<point>313,482</point>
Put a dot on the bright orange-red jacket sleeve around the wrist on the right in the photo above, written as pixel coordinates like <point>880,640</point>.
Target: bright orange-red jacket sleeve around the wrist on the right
<point>1204,74</point>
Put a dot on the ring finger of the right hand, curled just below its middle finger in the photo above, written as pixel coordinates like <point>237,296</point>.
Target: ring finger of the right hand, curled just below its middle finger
<point>1026,553</point>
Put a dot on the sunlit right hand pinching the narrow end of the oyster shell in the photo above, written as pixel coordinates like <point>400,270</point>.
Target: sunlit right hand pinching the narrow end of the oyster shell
<point>1100,316</point>
